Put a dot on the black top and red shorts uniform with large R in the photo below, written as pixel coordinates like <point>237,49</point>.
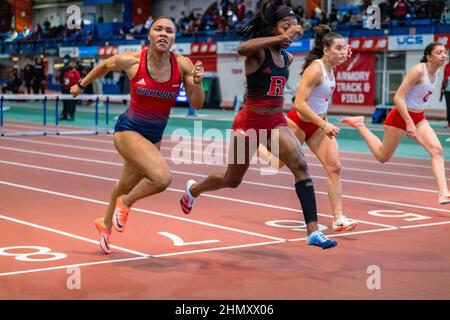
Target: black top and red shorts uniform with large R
<point>264,97</point>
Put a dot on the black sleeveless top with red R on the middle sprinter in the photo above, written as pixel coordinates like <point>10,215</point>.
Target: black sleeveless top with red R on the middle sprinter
<point>265,86</point>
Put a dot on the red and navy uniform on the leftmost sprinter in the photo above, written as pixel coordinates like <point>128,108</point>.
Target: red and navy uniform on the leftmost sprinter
<point>151,101</point>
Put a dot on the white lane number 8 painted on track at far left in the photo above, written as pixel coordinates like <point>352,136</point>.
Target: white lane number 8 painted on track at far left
<point>26,255</point>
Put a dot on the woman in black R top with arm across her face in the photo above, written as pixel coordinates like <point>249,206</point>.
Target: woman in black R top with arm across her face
<point>267,69</point>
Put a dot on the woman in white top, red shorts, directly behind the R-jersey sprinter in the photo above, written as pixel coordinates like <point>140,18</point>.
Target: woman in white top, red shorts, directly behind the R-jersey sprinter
<point>307,120</point>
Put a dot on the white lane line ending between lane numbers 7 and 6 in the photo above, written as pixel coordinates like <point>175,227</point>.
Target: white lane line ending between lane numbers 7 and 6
<point>66,195</point>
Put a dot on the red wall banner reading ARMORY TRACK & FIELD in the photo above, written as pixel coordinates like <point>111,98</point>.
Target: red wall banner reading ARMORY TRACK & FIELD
<point>355,81</point>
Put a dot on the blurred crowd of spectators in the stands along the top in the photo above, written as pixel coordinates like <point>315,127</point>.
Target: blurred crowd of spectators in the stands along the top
<point>225,16</point>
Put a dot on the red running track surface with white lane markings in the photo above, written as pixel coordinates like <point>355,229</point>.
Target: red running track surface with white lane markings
<point>411,268</point>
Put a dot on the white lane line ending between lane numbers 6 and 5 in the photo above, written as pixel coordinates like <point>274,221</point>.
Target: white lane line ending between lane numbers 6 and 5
<point>182,191</point>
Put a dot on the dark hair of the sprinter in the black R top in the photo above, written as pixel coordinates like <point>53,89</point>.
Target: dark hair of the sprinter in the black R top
<point>265,19</point>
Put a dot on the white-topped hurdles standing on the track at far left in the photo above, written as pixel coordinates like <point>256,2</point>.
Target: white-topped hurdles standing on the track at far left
<point>106,99</point>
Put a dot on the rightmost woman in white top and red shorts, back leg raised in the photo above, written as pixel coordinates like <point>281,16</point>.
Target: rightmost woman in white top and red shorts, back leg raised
<point>408,116</point>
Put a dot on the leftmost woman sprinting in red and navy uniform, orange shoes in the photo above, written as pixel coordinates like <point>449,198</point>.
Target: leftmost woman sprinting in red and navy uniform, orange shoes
<point>155,76</point>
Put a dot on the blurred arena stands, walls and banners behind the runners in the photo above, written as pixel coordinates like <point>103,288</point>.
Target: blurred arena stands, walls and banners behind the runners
<point>31,30</point>
